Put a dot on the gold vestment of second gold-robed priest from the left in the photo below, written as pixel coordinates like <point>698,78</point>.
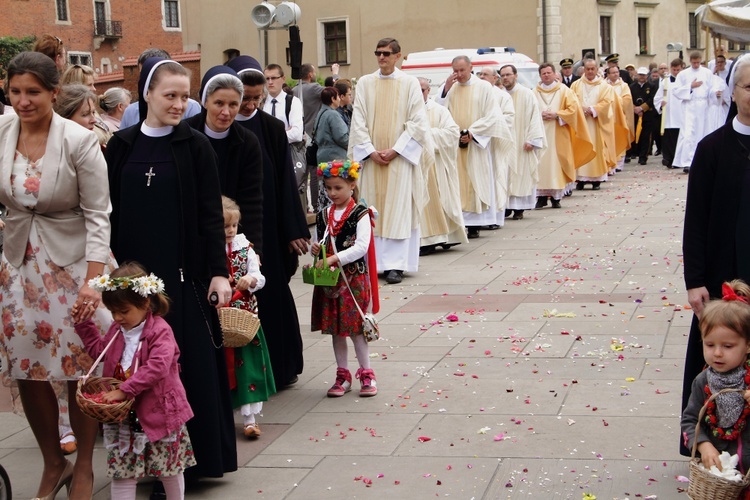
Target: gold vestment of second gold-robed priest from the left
<point>599,96</point>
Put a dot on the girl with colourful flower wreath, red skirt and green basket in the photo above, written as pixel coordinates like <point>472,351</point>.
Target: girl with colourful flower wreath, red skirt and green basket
<point>345,228</point>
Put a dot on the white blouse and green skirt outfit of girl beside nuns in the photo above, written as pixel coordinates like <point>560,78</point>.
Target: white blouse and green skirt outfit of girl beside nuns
<point>250,374</point>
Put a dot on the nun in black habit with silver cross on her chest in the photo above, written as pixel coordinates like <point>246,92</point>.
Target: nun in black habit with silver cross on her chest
<point>166,214</point>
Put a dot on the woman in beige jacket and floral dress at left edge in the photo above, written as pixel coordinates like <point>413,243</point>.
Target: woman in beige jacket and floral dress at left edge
<point>54,185</point>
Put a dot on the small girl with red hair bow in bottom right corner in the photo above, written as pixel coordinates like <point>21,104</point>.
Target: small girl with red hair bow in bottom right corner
<point>725,333</point>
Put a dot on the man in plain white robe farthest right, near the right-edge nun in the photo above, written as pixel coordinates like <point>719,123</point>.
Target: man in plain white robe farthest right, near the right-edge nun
<point>692,89</point>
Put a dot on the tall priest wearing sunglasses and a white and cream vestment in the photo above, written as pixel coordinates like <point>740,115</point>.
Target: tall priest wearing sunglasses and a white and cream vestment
<point>389,136</point>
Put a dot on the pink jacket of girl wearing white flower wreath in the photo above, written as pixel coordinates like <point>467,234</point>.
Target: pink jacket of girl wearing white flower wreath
<point>160,400</point>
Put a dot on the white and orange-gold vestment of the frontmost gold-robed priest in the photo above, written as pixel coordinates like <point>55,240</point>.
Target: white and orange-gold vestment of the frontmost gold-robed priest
<point>568,141</point>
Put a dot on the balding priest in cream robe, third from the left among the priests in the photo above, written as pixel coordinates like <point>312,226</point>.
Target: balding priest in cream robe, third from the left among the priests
<point>488,146</point>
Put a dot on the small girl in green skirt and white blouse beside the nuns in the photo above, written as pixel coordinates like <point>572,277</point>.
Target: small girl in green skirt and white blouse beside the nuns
<point>250,375</point>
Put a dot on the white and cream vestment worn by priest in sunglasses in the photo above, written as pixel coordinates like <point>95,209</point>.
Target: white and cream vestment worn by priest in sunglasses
<point>389,112</point>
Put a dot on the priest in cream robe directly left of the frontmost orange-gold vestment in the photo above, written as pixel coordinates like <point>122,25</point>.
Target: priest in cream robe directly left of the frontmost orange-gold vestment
<point>530,144</point>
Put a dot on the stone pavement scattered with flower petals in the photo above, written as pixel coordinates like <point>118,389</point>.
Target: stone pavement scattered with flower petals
<point>558,375</point>
